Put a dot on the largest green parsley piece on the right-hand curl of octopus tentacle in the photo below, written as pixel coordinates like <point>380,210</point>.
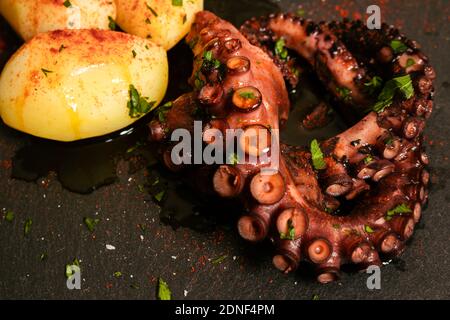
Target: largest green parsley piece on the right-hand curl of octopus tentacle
<point>386,97</point>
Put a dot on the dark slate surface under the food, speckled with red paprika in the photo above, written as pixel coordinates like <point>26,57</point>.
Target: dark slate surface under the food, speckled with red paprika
<point>181,256</point>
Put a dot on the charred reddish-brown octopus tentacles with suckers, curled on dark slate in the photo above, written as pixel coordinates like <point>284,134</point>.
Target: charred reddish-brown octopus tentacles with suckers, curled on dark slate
<point>377,165</point>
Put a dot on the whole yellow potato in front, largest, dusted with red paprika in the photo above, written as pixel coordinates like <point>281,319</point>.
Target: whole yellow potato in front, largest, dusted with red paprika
<point>75,84</point>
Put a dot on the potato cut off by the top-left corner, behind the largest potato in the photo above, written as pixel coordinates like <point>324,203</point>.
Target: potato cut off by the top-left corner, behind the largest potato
<point>30,17</point>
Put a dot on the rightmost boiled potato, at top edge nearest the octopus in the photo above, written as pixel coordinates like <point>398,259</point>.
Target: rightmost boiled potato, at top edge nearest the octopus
<point>164,21</point>
